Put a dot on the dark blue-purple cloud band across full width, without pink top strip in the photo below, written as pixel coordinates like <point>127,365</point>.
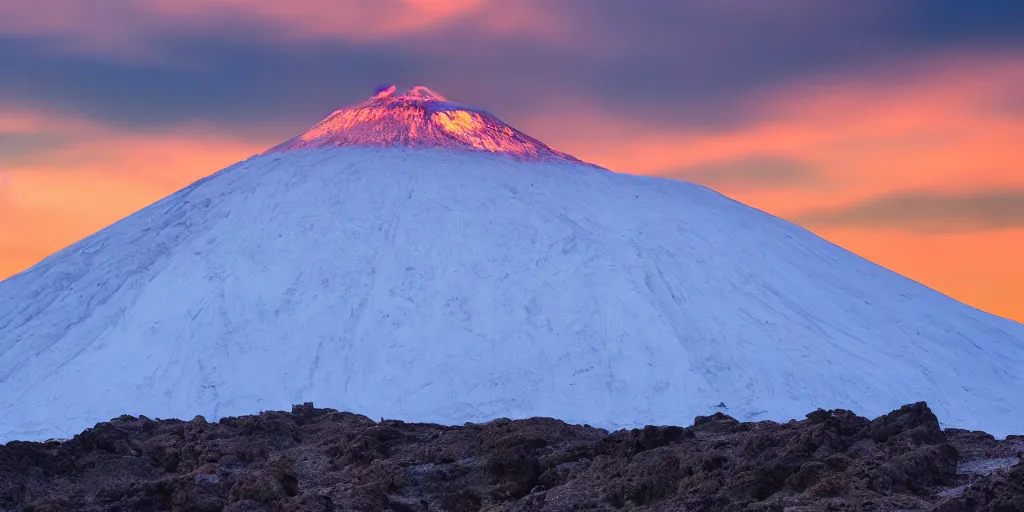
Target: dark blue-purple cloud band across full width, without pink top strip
<point>669,62</point>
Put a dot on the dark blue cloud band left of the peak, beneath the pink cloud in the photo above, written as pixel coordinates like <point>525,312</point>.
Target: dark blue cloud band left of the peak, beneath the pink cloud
<point>235,83</point>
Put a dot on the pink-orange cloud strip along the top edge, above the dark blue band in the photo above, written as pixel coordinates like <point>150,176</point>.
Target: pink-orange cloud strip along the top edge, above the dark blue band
<point>121,28</point>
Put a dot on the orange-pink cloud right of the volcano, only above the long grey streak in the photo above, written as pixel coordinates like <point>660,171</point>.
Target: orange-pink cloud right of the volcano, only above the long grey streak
<point>938,129</point>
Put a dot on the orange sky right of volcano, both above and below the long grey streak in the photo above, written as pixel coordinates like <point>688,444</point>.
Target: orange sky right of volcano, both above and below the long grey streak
<point>947,127</point>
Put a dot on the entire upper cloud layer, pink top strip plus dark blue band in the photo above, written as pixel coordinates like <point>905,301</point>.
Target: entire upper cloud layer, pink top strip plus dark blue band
<point>266,65</point>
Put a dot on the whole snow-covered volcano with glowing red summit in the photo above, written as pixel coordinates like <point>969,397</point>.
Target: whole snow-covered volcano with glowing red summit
<point>415,274</point>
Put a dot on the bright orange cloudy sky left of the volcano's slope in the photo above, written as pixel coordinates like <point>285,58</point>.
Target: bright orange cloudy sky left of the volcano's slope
<point>67,193</point>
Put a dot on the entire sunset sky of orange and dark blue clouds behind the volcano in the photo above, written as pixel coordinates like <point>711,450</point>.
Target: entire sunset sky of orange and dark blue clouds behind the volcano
<point>894,130</point>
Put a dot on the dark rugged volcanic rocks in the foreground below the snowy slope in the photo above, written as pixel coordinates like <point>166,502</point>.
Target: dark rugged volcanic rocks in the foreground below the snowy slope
<point>322,460</point>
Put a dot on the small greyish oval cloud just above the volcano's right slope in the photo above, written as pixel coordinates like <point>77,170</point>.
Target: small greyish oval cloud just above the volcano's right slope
<point>750,173</point>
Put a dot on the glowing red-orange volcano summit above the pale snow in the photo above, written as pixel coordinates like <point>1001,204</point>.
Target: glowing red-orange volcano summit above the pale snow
<point>422,118</point>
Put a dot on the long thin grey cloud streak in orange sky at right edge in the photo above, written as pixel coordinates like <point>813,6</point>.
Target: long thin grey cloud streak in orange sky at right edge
<point>929,212</point>
